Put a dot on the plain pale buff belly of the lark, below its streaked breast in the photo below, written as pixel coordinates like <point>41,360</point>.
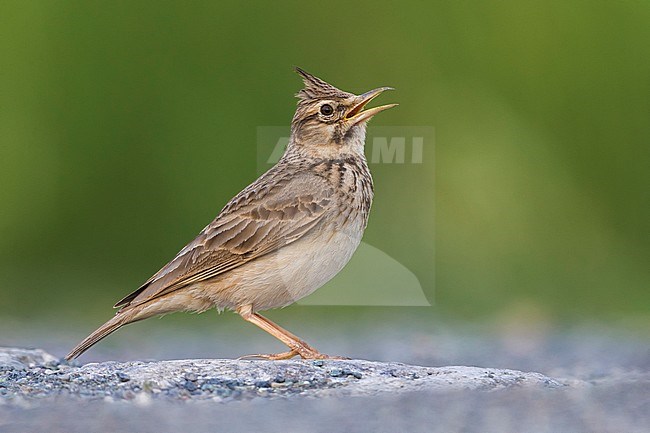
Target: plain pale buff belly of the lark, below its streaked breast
<point>281,278</point>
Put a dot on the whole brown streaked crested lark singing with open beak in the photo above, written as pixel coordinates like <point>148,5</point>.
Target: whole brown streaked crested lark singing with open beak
<point>282,237</point>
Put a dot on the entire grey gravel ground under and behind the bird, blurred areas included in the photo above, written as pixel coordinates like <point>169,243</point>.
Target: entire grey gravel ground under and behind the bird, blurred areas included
<point>593,379</point>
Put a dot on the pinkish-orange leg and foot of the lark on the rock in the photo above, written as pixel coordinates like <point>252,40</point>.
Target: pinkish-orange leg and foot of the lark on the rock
<point>297,346</point>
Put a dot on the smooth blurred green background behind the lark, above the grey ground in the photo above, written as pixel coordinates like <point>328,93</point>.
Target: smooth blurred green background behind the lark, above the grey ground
<point>126,126</point>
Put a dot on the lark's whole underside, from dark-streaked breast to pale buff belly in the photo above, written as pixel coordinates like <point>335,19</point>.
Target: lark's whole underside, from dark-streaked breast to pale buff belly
<point>297,269</point>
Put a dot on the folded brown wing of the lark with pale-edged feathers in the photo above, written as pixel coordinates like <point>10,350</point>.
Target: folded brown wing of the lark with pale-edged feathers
<point>260,219</point>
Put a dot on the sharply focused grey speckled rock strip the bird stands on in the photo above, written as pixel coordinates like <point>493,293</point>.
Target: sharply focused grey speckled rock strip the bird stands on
<point>31,374</point>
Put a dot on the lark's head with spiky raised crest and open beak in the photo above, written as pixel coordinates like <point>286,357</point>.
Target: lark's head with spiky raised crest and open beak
<point>330,122</point>
